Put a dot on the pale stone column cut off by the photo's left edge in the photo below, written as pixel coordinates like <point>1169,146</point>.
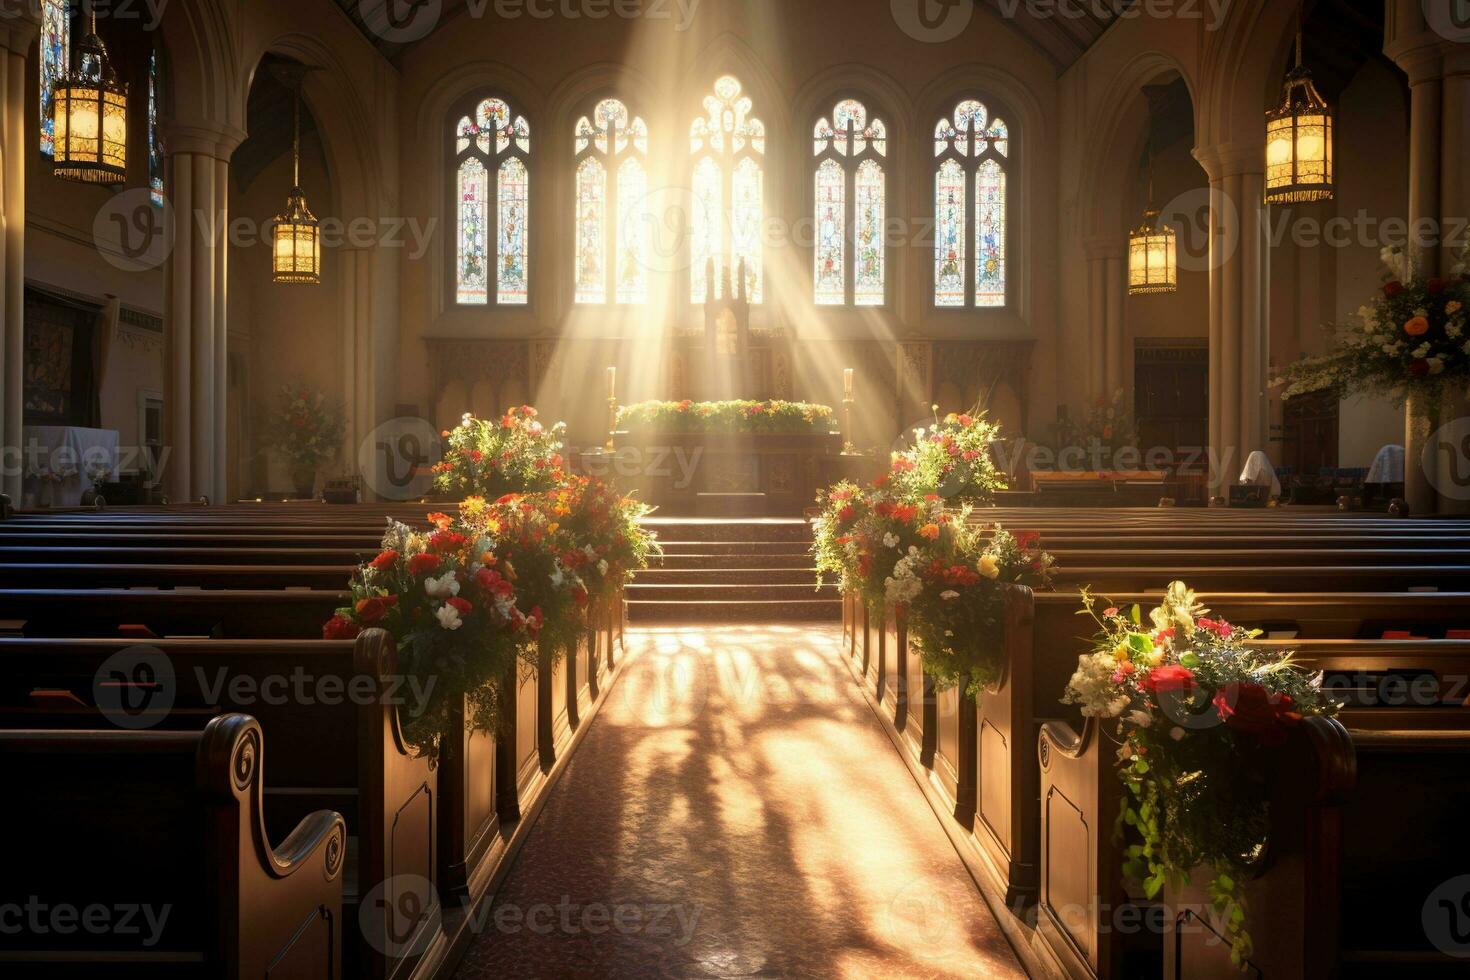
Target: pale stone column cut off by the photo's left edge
<point>18,30</point>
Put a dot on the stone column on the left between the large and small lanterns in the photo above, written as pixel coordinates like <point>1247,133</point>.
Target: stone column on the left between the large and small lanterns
<point>196,311</point>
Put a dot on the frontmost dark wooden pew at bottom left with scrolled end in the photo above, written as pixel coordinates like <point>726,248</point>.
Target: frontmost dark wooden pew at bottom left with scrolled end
<point>184,841</point>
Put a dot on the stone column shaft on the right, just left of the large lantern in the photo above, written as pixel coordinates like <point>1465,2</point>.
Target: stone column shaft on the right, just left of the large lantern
<point>1240,324</point>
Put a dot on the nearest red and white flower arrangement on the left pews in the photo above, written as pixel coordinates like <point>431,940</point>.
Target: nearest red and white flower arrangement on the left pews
<point>459,610</point>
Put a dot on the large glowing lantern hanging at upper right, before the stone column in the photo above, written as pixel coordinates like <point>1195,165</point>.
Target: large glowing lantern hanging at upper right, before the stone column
<point>1299,142</point>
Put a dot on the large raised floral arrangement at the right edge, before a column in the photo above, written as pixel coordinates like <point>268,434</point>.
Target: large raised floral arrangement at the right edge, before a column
<point>1409,342</point>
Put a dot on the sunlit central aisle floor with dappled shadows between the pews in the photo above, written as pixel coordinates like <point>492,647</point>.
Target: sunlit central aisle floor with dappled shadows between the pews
<point>737,812</point>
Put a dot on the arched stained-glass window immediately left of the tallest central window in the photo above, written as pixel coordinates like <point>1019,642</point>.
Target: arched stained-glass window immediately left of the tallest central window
<point>612,186</point>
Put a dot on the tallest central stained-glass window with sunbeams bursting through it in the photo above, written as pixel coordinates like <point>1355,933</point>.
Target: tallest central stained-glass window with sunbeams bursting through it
<point>728,152</point>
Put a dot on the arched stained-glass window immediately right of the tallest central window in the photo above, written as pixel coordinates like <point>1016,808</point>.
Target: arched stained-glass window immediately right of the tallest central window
<point>850,206</point>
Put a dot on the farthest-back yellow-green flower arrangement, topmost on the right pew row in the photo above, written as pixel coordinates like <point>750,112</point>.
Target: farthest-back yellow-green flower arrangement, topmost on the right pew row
<point>953,459</point>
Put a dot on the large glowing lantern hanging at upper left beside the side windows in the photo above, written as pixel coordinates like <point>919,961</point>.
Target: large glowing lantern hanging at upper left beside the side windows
<point>90,117</point>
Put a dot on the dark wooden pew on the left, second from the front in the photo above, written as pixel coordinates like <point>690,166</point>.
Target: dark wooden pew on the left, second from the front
<point>331,713</point>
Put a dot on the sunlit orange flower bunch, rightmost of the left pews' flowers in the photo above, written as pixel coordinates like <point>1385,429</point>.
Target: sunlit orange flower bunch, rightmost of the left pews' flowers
<point>608,541</point>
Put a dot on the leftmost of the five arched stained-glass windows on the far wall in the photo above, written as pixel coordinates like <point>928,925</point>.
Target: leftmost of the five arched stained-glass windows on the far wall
<point>493,201</point>
